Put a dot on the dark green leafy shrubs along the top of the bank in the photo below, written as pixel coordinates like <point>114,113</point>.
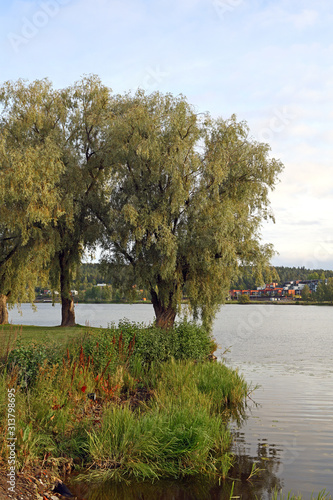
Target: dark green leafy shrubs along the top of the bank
<point>132,344</point>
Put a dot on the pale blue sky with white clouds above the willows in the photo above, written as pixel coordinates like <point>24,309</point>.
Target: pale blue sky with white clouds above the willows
<point>270,62</point>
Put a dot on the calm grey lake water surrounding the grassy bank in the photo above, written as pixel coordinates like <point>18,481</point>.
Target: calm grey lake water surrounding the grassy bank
<point>288,352</point>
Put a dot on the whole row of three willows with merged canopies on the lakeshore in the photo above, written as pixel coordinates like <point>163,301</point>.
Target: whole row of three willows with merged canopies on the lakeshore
<point>174,198</point>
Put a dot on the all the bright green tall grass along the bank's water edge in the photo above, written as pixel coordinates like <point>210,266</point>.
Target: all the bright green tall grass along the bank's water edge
<point>180,425</point>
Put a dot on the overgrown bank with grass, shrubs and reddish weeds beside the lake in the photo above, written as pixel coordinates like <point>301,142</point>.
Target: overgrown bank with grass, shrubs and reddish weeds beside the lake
<point>126,402</point>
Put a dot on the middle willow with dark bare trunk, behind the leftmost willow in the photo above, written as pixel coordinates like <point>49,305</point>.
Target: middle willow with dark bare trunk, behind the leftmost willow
<point>73,122</point>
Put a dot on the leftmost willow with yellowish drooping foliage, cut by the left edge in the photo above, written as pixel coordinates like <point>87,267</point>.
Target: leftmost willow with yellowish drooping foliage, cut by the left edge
<point>28,204</point>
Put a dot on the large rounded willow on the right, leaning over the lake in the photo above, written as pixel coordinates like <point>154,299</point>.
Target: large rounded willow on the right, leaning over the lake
<point>187,207</point>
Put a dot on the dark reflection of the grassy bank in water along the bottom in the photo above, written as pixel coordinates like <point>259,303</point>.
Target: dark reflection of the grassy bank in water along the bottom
<point>240,482</point>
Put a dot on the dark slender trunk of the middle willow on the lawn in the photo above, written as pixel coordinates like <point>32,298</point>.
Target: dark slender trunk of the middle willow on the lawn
<point>67,301</point>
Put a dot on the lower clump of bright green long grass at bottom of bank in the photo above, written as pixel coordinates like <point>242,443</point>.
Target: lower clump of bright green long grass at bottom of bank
<point>169,440</point>
